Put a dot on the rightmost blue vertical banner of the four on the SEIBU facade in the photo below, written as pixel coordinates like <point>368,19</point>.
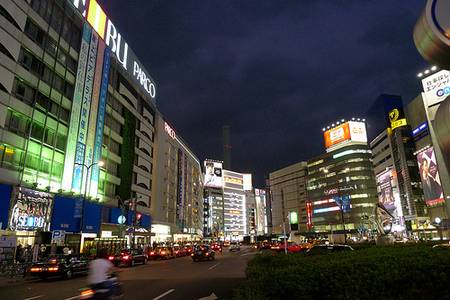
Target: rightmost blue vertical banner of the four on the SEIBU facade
<point>100,121</point>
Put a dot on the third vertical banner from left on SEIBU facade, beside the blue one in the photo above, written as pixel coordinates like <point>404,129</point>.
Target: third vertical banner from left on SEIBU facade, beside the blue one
<point>93,113</point>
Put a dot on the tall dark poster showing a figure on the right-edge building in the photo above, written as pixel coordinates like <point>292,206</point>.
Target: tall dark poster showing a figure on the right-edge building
<point>429,175</point>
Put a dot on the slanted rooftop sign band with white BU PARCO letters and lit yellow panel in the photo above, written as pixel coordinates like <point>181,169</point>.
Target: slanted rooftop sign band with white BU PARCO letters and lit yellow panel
<point>96,17</point>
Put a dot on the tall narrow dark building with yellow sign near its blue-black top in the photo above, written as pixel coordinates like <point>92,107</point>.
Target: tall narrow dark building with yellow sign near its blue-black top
<point>396,169</point>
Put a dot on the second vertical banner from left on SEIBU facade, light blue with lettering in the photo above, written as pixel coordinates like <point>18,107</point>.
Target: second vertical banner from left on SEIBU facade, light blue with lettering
<point>79,175</point>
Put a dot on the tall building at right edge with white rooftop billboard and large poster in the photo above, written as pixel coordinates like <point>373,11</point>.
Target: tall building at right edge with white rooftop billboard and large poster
<point>433,170</point>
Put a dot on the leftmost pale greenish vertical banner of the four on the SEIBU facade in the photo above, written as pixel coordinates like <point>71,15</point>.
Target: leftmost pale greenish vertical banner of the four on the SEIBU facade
<point>76,109</point>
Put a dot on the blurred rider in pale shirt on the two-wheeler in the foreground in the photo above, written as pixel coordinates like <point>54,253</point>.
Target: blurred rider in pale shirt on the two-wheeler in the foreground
<point>99,269</point>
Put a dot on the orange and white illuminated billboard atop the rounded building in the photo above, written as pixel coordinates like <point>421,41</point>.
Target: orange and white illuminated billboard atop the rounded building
<point>350,131</point>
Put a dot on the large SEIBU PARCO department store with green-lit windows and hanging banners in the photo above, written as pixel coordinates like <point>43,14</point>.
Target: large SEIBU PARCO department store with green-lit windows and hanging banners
<point>77,122</point>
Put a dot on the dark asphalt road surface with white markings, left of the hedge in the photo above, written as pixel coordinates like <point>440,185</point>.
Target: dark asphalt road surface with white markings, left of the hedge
<point>179,278</point>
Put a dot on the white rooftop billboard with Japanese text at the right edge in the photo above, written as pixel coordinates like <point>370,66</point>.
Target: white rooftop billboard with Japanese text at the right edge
<point>436,87</point>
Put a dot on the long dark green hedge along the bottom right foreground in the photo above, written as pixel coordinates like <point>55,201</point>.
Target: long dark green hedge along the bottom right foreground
<point>418,272</point>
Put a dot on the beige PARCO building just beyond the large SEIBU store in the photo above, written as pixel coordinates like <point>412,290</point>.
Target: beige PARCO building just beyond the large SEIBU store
<point>177,193</point>
